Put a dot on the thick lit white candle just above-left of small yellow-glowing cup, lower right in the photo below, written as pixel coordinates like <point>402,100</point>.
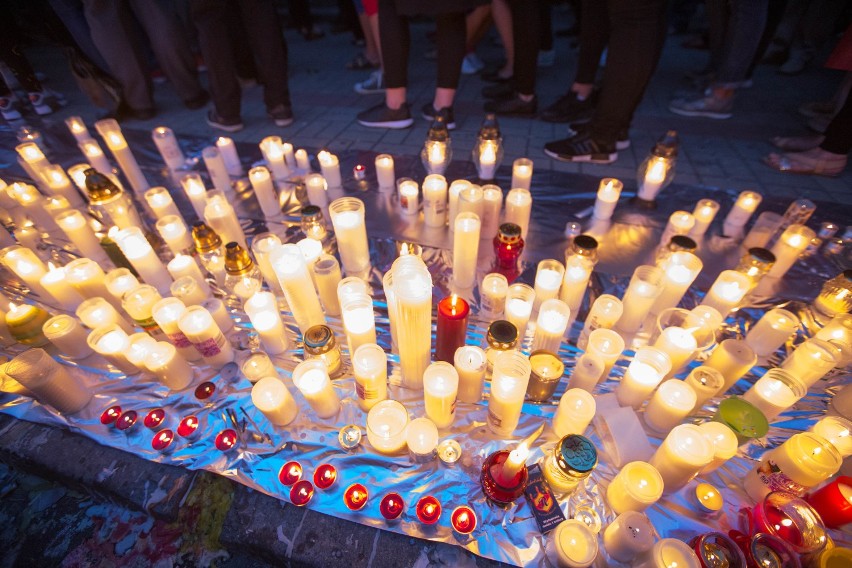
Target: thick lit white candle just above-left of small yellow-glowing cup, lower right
<point>683,453</point>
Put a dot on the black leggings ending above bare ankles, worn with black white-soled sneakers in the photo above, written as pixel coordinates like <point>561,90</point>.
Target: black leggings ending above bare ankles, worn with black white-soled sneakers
<point>396,43</point>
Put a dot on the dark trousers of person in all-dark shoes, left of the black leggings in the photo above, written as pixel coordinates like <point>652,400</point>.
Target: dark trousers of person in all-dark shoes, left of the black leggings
<point>213,19</point>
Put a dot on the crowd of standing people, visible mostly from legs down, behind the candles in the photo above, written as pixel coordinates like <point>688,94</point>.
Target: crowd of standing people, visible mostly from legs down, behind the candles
<point>113,45</point>
